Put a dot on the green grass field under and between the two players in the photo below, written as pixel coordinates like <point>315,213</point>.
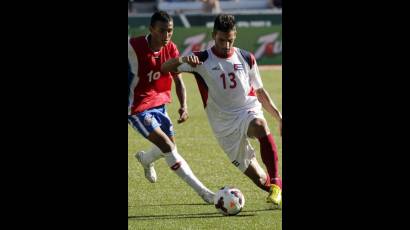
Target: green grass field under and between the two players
<point>171,203</point>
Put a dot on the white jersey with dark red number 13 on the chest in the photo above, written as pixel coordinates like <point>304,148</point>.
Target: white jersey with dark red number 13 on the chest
<point>227,87</point>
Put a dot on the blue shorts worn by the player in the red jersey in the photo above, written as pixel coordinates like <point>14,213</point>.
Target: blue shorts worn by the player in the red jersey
<point>145,122</point>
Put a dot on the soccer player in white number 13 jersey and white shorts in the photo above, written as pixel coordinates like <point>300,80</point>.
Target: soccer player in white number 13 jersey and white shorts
<point>233,95</point>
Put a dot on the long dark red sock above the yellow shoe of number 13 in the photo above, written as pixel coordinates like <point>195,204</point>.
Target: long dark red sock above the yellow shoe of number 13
<point>269,154</point>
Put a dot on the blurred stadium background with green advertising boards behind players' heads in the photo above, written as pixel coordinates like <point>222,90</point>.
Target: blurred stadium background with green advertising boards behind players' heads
<point>259,24</point>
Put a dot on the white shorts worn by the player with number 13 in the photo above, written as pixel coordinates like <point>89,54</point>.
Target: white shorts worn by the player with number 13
<point>236,145</point>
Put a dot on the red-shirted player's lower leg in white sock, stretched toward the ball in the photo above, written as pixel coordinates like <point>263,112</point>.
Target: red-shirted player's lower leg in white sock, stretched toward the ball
<point>178,164</point>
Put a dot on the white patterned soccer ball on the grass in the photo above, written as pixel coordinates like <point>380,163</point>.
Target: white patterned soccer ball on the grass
<point>229,201</point>
